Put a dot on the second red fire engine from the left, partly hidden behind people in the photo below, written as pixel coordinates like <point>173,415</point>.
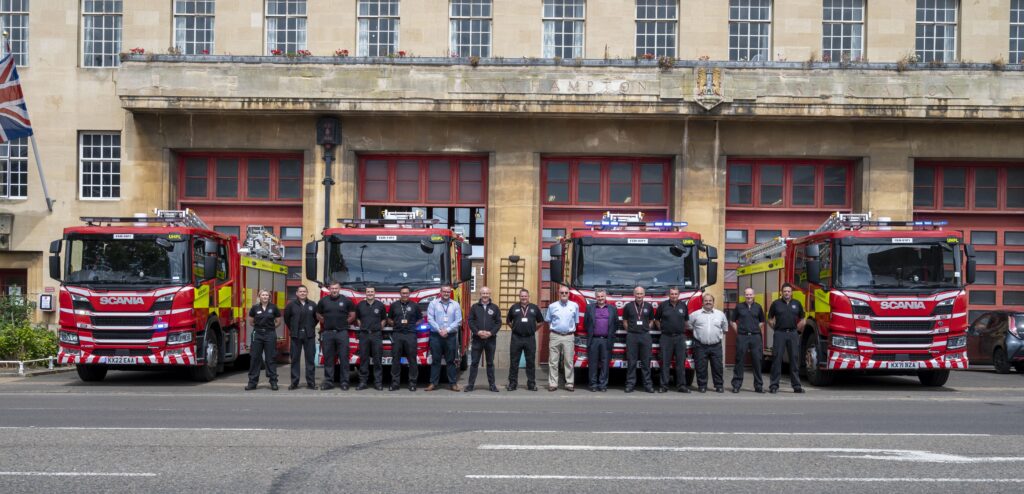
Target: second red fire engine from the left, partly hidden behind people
<point>398,251</point>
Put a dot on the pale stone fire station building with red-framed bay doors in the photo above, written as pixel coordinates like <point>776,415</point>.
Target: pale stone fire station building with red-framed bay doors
<point>516,121</point>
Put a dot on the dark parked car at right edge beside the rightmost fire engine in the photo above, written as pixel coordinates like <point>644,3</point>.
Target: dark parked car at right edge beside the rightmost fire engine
<point>998,339</point>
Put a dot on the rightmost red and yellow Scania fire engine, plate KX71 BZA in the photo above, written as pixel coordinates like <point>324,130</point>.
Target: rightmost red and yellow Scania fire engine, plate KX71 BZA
<point>880,296</point>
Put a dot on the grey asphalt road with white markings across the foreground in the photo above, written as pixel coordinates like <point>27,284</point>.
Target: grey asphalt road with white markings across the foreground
<point>158,432</point>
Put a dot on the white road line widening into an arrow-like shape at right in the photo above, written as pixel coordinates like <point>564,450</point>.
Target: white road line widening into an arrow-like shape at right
<point>862,454</point>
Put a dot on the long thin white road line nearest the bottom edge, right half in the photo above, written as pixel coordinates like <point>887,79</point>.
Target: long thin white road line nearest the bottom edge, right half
<point>746,479</point>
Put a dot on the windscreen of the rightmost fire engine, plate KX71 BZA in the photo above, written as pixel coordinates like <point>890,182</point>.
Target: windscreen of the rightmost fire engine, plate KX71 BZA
<point>910,266</point>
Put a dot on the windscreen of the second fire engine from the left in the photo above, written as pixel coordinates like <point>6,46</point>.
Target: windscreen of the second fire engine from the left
<point>388,263</point>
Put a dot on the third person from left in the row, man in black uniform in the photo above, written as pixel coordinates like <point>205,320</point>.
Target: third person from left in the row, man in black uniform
<point>335,311</point>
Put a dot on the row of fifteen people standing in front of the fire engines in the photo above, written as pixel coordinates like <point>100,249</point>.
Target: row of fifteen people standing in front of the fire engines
<point>602,322</point>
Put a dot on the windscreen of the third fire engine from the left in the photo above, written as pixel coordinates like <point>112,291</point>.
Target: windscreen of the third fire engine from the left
<point>651,266</point>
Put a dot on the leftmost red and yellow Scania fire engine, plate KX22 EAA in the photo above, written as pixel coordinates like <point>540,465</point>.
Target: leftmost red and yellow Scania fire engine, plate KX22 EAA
<point>161,291</point>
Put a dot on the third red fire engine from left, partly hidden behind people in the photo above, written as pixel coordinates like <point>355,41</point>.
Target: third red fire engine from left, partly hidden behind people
<point>622,252</point>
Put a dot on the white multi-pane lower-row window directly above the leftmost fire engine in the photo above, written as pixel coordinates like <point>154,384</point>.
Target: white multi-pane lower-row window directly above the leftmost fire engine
<point>100,166</point>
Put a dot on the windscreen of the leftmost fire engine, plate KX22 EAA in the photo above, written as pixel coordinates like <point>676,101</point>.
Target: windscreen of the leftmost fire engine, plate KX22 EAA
<point>142,260</point>
